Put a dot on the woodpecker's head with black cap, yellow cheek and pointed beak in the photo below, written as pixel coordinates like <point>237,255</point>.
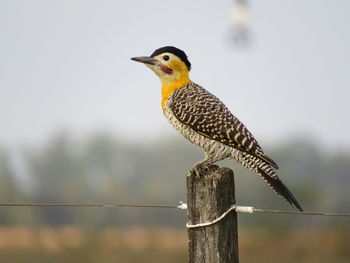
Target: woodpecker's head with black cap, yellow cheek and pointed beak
<point>169,63</point>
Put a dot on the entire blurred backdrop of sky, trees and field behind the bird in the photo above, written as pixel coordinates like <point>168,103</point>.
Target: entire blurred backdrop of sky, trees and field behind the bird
<point>80,122</point>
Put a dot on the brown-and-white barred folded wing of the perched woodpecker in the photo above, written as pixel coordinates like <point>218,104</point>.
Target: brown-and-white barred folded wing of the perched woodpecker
<point>197,108</point>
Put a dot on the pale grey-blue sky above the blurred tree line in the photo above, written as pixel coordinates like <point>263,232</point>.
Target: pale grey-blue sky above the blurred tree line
<point>65,65</point>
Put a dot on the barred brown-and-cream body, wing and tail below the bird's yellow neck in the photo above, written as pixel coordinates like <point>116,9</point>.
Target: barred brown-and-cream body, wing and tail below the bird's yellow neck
<point>204,120</point>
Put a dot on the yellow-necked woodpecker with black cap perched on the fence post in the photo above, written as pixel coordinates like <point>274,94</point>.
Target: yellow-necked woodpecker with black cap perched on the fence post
<point>204,120</point>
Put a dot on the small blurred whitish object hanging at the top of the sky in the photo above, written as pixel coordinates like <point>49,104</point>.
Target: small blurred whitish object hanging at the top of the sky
<point>240,33</point>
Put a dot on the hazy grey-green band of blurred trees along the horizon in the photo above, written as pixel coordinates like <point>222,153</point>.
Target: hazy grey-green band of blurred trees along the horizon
<point>105,169</point>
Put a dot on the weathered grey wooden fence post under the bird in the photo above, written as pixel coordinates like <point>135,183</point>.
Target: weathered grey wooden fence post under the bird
<point>209,195</point>
